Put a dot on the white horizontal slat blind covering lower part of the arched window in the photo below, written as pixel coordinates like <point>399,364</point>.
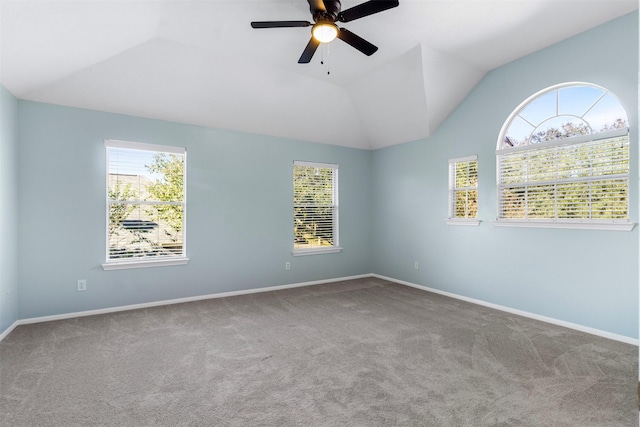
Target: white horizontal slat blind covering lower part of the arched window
<point>587,181</point>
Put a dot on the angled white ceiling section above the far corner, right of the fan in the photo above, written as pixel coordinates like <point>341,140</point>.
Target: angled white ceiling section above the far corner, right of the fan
<point>408,98</point>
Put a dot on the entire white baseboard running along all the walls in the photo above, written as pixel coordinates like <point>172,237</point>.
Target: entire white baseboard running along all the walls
<point>550,320</point>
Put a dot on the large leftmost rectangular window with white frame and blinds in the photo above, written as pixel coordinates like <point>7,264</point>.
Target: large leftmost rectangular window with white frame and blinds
<point>146,205</point>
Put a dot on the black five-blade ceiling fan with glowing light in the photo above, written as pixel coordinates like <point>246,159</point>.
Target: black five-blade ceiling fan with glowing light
<point>325,14</point>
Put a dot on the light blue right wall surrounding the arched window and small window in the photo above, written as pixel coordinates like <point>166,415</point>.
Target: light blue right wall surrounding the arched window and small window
<point>580,276</point>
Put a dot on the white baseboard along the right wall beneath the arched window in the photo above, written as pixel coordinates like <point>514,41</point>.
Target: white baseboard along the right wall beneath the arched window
<point>546,319</point>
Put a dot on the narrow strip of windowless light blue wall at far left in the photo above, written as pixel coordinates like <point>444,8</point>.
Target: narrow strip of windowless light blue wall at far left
<point>8,209</point>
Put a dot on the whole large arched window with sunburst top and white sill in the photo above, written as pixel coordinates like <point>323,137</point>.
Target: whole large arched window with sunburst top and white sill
<point>563,161</point>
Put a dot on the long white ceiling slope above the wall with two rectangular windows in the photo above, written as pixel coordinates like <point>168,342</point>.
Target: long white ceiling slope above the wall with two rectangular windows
<point>193,88</point>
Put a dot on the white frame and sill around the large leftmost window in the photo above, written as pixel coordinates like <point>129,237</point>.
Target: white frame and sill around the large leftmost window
<point>143,262</point>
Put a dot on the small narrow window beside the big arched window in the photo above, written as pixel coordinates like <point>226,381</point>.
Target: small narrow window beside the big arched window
<point>463,191</point>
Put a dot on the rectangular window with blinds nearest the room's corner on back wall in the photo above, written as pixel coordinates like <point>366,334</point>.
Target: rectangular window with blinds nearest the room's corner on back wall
<point>315,208</point>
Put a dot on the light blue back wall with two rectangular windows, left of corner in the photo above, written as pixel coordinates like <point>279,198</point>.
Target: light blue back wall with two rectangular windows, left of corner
<point>239,220</point>
